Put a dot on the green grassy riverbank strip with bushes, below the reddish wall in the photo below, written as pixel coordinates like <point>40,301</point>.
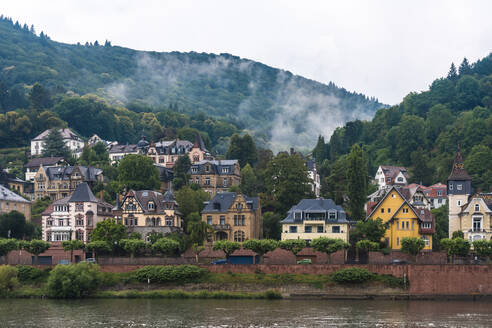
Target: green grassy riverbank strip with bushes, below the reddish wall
<point>187,281</point>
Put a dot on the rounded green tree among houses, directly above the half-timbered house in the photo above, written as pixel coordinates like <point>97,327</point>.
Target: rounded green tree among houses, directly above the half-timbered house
<point>138,172</point>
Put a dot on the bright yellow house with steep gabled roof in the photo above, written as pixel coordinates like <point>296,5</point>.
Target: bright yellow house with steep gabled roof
<point>403,219</point>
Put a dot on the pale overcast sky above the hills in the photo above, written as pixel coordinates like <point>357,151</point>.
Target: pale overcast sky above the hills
<point>384,49</point>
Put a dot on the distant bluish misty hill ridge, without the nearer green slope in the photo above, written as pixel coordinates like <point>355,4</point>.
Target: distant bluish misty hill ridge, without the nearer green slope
<point>277,106</point>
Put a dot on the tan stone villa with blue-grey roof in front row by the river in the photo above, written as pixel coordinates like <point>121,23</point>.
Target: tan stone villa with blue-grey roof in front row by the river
<point>234,217</point>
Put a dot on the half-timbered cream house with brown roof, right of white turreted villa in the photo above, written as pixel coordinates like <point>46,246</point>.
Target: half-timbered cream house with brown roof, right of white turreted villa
<point>147,212</point>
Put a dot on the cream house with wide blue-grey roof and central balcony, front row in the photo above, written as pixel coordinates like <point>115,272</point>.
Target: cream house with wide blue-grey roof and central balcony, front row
<point>315,218</point>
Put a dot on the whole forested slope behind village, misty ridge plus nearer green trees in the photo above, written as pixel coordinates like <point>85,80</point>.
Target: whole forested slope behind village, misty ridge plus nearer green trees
<point>141,89</point>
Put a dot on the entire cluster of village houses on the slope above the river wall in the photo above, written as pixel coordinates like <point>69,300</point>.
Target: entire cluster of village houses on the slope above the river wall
<point>405,209</point>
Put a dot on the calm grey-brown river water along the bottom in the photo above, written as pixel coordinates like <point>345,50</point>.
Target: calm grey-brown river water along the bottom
<point>151,313</point>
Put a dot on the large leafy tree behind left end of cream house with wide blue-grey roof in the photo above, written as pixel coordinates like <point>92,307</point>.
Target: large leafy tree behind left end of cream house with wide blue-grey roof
<point>287,180</point>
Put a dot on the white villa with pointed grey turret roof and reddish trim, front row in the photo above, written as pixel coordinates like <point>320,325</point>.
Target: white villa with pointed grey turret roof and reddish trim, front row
<point>75,216</point>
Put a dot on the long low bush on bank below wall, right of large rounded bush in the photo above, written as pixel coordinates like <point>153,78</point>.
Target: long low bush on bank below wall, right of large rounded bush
<point>166,274</point>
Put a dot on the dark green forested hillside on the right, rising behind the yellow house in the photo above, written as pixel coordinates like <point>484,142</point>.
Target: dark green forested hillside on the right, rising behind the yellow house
<point>424,131</point>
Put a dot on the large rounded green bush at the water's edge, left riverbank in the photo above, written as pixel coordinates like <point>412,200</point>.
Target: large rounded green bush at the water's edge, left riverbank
<point>74,280</point>
